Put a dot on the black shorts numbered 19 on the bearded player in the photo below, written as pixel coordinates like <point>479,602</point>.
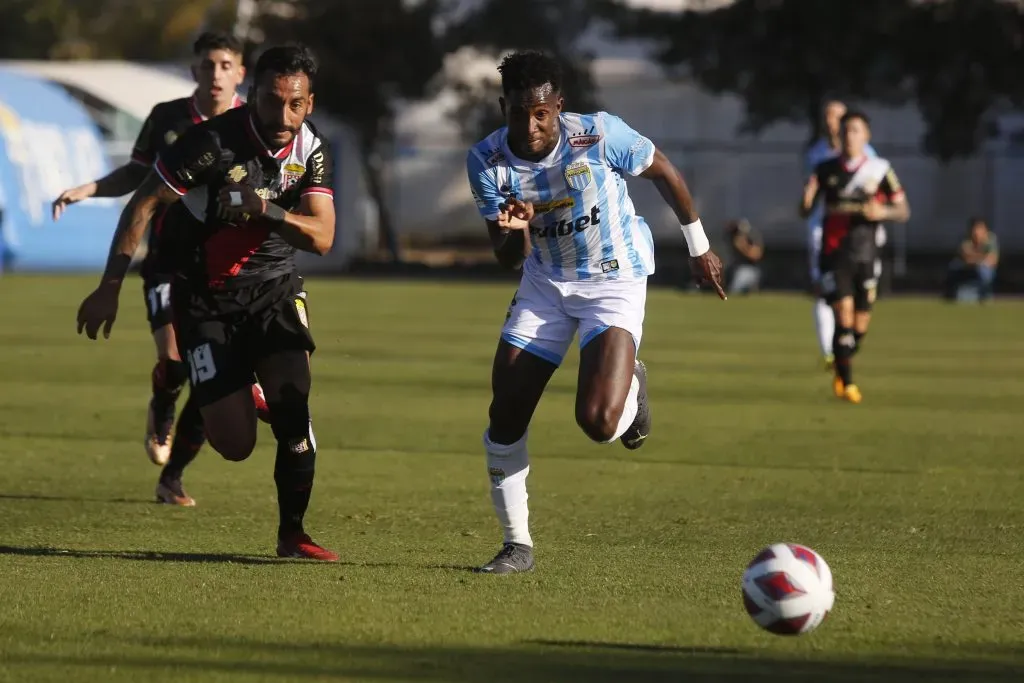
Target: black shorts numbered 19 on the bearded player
<point>223,336</point>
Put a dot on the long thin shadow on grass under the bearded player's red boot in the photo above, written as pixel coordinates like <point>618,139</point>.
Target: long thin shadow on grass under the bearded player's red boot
<point>225,559</point>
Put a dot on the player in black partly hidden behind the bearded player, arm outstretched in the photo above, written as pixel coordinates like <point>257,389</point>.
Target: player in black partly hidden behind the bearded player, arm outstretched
<point>219,72</point>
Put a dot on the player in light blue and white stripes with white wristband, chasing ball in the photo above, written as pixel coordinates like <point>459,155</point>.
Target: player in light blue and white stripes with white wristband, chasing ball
<point>551,187</point>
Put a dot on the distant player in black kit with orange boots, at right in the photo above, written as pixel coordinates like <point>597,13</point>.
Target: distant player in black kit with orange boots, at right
<point>860,193</point>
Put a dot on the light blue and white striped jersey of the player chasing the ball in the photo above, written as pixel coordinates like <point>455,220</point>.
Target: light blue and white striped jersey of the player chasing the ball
<point>586,227</point>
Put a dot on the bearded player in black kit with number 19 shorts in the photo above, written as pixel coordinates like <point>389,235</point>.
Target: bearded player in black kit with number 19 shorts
<point>258,185</point>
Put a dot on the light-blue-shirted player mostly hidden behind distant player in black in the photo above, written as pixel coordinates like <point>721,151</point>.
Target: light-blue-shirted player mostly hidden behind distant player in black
<point>827,148</point>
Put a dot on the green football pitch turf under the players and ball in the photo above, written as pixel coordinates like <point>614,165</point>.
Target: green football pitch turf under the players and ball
<point>916,498</point>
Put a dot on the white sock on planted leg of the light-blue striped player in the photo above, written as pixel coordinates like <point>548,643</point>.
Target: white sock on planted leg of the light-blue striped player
<point>508,467</point>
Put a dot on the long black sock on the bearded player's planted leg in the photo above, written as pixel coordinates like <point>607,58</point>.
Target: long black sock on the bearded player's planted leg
<point>295,465</point>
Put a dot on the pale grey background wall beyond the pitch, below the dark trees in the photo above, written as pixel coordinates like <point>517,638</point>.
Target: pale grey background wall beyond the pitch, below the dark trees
<point>731,176</point>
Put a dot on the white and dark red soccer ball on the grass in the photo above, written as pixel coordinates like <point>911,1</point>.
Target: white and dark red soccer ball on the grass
<point>788,589</point>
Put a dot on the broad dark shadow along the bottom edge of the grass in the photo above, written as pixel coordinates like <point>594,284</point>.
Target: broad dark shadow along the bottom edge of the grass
<point>547,661</point>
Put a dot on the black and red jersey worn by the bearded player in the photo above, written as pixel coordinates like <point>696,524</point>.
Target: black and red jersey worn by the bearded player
<point>229,150</point>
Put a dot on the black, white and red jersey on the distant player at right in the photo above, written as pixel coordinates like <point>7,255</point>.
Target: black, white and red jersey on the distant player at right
<point>845,187</point>
